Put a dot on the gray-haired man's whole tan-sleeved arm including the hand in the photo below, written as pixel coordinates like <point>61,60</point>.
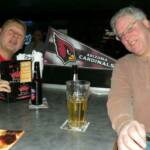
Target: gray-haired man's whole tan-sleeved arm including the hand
<point>131,133</point>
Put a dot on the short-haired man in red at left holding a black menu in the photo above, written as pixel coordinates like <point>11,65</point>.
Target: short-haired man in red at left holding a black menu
<point>12,34</point>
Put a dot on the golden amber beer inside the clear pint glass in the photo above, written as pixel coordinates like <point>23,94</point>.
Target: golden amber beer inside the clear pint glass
<point>77,109</point>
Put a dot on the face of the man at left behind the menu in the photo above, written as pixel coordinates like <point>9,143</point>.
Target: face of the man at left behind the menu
<point>12,37</point>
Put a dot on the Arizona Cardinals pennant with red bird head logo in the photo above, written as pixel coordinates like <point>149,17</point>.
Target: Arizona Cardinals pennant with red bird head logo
<point>64,50</point>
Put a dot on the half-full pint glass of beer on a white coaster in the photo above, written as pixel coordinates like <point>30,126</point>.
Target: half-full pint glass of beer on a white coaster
<point>77,93</point>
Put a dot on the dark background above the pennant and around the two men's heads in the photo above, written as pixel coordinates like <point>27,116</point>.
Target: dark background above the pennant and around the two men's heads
<point>85,20</point>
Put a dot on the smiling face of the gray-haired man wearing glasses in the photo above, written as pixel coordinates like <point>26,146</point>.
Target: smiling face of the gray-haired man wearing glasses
<point>134,34</point>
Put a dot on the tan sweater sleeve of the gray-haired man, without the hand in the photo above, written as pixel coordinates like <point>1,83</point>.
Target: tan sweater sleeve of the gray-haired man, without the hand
<point>119,103</point>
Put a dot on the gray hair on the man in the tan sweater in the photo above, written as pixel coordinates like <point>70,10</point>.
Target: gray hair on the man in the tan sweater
<point>132,11</point>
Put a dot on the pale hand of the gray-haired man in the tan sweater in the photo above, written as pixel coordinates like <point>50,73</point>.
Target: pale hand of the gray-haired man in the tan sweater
<point>132,136</point>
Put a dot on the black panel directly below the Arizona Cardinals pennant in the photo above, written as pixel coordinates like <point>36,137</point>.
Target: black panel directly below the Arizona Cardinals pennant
<point>60,74</point>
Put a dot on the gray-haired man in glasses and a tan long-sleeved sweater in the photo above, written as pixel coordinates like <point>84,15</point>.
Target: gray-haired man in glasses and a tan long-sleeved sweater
<point>129,98</point>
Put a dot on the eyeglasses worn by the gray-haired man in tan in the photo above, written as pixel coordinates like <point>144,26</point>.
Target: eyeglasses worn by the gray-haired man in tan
<point>129,29</point>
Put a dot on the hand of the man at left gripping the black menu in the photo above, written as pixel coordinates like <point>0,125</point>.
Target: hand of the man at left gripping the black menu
<point>4,86</point>
